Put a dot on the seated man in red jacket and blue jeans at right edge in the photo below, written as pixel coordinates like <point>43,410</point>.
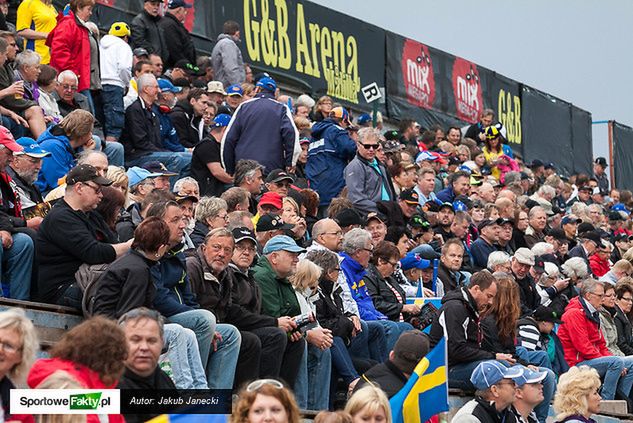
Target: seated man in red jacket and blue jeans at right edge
<point>584,343</point>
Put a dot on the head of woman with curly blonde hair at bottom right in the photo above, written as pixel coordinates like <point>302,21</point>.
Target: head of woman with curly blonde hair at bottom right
<point>577,396</point>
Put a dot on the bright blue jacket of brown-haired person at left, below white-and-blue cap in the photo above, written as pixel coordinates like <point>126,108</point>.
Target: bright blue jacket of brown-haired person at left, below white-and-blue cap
<point>61,160</point>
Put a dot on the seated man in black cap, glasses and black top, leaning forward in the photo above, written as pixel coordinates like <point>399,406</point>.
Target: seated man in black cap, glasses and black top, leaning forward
<point>73,234</point>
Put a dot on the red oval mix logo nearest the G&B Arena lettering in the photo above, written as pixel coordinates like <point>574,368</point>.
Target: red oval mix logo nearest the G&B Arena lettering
<point>417,70</point>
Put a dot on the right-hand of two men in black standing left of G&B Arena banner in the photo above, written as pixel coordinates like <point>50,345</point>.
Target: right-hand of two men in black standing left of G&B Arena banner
<point>178,40</point>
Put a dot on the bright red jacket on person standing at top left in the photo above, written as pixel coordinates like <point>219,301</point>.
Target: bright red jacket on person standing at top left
<point>70,48</point>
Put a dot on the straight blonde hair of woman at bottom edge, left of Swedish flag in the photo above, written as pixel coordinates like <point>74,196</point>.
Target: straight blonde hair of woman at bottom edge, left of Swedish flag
<point>367,404</point>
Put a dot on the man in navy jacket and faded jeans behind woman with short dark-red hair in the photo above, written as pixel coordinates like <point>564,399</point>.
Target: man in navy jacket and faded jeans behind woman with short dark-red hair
<point>175,300</point>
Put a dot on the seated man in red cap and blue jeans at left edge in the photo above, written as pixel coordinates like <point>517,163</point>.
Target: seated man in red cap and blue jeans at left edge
<point>16,254</point>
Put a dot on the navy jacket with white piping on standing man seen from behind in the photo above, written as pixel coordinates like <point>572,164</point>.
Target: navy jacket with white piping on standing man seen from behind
<point>261,129</point>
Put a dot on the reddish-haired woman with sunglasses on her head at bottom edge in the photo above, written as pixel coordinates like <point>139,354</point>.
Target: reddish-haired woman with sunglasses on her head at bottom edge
<point>263,400</point>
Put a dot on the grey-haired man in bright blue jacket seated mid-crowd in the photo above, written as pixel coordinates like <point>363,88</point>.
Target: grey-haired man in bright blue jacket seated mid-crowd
<point>357,250</point>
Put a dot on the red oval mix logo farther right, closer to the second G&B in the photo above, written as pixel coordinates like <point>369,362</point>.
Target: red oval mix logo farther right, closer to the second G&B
<point>467,88</point>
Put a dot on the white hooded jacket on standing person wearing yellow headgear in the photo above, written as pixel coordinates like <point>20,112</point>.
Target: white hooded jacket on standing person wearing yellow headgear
<point>115,61</point>
